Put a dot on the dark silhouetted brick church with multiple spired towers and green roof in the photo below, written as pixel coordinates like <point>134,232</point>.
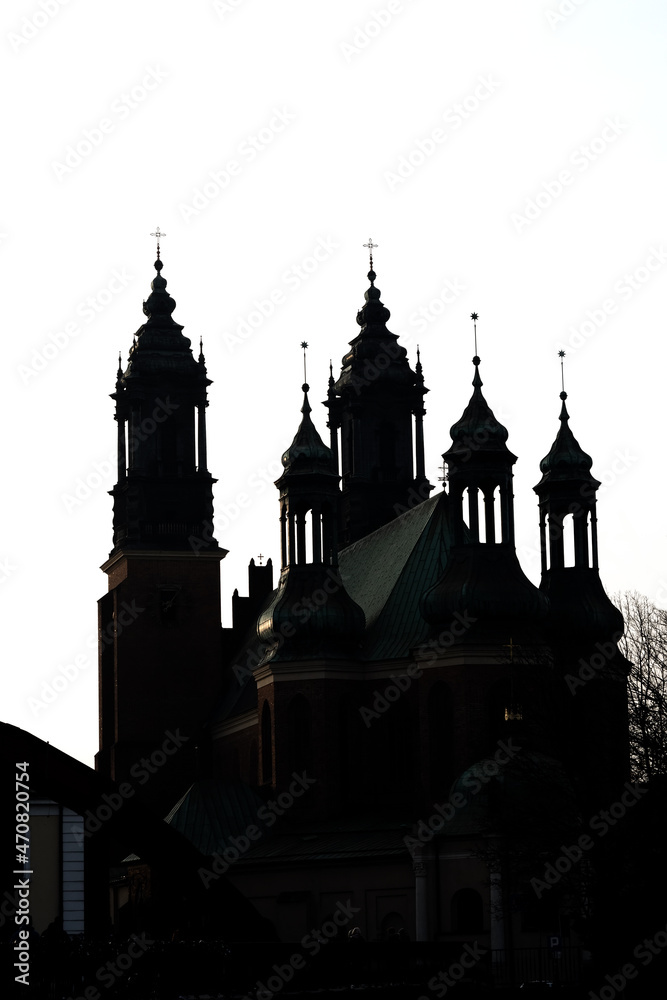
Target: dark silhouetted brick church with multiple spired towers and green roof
<point>406,726</point>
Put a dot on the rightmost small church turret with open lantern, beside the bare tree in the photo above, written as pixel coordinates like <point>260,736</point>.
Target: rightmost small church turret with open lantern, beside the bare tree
<point>583,623</point>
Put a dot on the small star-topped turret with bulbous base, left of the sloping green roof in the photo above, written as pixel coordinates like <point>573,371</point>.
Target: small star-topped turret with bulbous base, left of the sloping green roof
<point>311,628</point>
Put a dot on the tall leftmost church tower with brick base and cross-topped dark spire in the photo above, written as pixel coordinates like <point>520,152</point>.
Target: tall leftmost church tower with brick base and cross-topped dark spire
<point>159,623</point>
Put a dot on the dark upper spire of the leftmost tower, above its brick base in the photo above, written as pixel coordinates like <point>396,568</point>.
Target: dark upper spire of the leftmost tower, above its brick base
<point>163,497</point>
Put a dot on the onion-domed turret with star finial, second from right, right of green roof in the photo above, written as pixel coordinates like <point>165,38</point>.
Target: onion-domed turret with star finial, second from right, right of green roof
<point>496,674</point>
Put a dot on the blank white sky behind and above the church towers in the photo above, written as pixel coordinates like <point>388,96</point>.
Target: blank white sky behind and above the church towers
<point>351,98</point>
